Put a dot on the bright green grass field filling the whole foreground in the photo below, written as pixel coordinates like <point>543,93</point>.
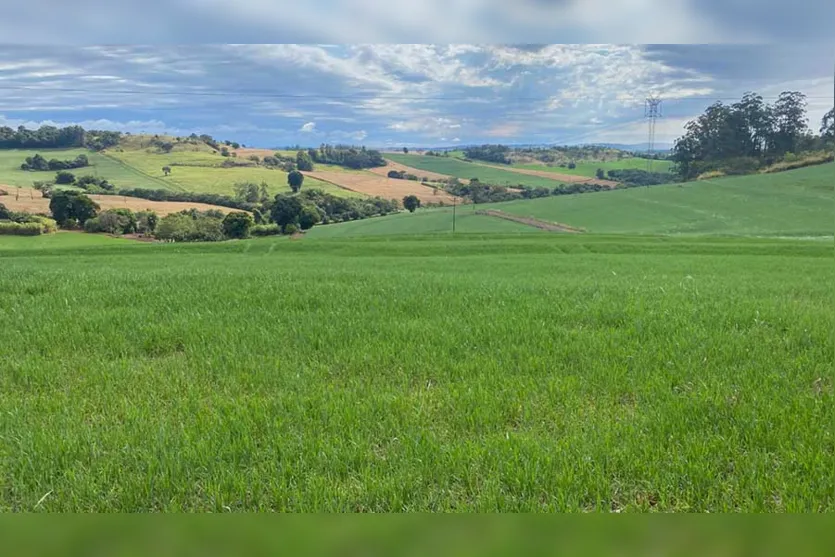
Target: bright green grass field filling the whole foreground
<point>534,372</point>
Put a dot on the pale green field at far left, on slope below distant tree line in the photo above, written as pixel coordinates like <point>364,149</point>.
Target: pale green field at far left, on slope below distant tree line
<point>100,165</point>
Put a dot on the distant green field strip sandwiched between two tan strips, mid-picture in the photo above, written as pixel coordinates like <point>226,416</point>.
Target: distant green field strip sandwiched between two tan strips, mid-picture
<point>465,170</point>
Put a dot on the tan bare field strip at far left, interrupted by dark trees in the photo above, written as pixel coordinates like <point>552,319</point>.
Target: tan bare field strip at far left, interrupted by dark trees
<point>30,201</point>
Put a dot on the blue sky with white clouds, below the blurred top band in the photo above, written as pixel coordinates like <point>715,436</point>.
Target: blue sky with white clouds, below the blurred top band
<point>390,95</point>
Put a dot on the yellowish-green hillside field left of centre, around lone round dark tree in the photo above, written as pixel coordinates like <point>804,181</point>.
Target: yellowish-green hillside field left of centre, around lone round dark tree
<point>213,179</point>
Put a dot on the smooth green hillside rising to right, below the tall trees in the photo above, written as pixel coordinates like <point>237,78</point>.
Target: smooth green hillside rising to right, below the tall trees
<point>796,203</point>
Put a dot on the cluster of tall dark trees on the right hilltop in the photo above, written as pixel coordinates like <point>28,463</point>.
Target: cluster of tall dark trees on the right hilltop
<point>747,135</point>
